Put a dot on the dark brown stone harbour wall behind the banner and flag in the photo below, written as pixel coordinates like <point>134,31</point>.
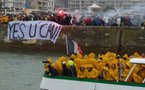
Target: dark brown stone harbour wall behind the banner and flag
<point>91,39</point>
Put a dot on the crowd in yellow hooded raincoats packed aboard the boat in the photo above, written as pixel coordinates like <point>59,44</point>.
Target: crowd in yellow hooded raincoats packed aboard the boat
<point>108,66</point>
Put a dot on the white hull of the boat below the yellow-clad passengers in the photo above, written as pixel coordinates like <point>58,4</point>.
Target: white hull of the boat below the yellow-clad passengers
<point>64,84</point>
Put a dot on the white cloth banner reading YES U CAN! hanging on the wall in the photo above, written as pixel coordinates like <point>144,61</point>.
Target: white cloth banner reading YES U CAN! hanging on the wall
<point>42,30</point>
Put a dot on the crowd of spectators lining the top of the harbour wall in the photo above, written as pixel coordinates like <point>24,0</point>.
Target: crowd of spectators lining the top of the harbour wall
<point>83,20</point>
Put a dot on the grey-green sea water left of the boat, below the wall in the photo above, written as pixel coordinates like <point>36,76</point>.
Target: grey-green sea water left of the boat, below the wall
<point>22,71</point>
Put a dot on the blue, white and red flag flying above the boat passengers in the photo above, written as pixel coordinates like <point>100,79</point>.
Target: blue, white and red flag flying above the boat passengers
<point>72,46</point>
